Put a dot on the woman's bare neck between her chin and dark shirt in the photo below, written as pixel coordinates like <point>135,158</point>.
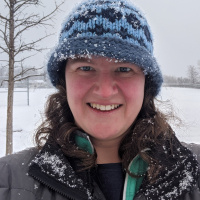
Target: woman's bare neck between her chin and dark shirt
<point>107,151</point>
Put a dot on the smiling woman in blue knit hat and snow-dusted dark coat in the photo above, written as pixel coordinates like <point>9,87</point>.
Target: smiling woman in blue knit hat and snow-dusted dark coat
<point>103,137</point>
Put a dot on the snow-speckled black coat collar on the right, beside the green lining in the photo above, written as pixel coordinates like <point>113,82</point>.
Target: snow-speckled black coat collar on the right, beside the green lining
<point>178,177</point>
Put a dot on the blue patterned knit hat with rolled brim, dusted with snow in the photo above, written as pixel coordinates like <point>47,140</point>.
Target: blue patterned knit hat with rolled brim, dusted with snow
<point>109,28</point>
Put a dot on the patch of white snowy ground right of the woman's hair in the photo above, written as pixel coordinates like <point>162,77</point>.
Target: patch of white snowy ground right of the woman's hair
<point>186,105</point>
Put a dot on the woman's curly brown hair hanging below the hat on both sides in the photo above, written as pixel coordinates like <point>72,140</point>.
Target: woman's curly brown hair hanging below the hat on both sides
<point>149,130</point>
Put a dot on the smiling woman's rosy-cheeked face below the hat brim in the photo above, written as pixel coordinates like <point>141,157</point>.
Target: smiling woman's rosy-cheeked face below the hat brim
<point>104,95</point>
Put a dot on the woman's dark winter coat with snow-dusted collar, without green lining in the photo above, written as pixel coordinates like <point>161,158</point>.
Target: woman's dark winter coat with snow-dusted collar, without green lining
<point>48,175</point>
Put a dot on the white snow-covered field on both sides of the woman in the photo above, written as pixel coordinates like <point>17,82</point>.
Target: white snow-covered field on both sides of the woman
<point>185,101</point>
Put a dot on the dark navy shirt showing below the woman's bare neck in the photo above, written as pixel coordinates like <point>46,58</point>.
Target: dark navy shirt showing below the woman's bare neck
<point>110,178</point>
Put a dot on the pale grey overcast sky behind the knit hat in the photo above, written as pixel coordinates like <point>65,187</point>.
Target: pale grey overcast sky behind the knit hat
<point>175,25</point>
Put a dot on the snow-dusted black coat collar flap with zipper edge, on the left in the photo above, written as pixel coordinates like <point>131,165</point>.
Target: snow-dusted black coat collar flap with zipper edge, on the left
<point>53,169</point>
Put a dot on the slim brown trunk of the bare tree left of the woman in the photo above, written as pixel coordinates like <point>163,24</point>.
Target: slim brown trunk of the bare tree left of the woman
<point>9,127</point>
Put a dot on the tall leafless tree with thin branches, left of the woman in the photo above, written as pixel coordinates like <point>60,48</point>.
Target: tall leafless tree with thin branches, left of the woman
<point>21,17</point>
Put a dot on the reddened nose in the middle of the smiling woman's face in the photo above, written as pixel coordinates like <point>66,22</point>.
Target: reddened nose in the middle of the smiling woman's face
<point>105,86</point>
